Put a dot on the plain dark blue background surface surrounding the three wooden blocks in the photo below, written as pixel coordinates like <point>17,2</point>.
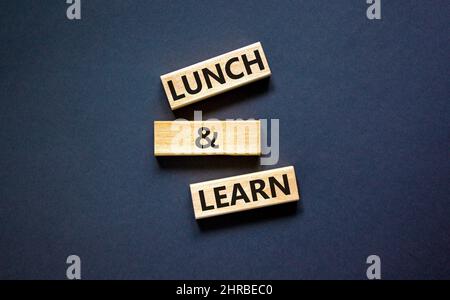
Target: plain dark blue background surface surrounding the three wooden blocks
<point>364,114</point>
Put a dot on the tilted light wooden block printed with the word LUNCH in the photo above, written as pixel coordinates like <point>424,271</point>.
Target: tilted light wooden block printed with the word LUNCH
<point>215,75</point>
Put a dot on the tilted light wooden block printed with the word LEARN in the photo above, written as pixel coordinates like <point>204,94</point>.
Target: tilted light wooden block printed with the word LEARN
<point>244,192</point>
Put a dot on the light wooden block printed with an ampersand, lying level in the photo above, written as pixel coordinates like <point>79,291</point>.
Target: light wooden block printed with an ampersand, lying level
<point>173,138</point>
